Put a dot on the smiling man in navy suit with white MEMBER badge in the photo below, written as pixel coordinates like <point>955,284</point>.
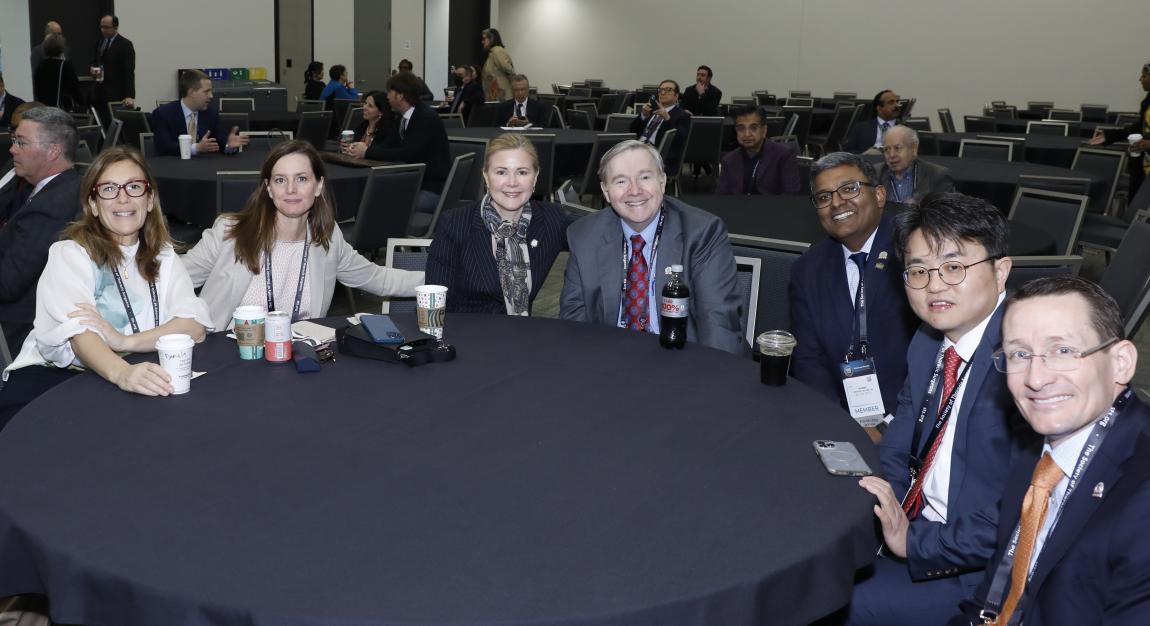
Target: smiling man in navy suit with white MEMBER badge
<point>825,287</point>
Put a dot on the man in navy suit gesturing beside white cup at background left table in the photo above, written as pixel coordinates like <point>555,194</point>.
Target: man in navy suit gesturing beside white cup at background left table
<point>193,116</point>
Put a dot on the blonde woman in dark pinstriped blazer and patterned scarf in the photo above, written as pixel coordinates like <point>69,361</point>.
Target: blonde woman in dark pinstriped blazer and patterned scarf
<point>495,255</point>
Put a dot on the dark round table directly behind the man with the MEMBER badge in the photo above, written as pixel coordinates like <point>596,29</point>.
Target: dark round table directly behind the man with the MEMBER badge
<point>794,219</point>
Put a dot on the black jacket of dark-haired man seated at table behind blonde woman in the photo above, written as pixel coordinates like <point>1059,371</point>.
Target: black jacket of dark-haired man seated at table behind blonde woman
<point>424,142</point>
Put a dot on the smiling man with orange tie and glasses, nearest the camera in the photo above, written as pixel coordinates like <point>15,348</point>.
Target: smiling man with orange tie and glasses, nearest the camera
<point>1085,559</point>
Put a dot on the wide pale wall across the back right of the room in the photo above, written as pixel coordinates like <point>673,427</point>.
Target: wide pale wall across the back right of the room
<point>945,54</point>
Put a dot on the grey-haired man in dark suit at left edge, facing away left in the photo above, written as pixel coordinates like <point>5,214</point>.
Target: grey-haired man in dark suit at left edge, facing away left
<point>42,151</point>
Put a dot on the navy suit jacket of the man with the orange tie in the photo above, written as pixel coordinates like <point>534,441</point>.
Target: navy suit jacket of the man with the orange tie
<point>1093,568</point>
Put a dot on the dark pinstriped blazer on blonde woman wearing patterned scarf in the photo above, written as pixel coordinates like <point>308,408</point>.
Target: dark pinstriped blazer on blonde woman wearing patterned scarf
<point>463,261</point>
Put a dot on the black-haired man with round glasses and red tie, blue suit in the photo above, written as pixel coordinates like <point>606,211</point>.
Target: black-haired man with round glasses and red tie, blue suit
<point>947,453</point>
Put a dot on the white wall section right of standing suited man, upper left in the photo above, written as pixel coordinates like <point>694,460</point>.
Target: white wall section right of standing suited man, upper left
<point>246,39</point>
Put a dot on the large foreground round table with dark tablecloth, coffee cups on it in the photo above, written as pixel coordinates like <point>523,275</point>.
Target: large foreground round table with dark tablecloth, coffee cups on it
<point>556,474</point>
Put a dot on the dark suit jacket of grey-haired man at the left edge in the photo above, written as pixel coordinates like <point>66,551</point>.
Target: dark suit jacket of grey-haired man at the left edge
<point>26,236</point>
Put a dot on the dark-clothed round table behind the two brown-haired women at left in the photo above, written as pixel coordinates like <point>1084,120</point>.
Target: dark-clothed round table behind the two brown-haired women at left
<point>188,188</point>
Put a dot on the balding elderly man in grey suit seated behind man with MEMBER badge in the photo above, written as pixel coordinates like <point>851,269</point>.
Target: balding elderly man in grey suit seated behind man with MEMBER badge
<point>908,180</point>
